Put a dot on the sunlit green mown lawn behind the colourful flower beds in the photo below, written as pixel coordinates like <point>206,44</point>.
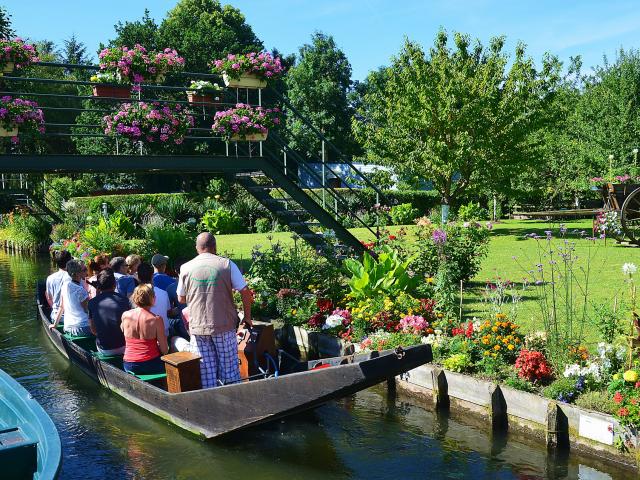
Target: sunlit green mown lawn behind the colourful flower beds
<point>507,242</point>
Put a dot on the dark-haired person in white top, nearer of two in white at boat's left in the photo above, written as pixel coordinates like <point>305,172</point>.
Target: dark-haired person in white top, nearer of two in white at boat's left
<point>74,301</point>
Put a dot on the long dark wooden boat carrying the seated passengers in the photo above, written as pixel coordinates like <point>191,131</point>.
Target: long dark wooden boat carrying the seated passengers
<point>208,413</point>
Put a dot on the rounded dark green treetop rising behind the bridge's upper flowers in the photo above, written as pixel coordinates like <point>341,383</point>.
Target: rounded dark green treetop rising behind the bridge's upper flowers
<point>203,30</point>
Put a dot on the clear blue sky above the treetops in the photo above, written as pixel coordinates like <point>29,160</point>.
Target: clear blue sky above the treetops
<point>370,32</point>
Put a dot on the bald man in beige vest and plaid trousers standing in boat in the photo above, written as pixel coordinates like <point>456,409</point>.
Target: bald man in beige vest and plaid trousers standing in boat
<point>206,285</point>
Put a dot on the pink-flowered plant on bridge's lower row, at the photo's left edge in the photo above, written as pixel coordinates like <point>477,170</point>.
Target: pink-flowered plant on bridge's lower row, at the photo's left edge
<point>18,115</point>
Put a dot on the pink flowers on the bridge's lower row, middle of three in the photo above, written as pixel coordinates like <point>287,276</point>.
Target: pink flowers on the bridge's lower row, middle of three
<point>153,122</point>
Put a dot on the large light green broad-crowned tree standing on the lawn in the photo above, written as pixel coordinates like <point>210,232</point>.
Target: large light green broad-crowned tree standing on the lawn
<point>460,118</point>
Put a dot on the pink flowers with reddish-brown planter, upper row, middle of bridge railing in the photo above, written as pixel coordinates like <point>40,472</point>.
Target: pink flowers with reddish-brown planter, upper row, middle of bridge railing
<point>123,69</point>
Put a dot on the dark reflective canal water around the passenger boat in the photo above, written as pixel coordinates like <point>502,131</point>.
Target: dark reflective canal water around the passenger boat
<point>370,435</point>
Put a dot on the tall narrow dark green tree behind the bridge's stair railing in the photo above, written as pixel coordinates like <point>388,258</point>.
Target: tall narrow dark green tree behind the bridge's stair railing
<point>318,86</point>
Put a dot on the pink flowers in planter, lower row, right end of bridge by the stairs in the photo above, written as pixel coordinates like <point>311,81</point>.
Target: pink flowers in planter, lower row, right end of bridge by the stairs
<point>245,123</point>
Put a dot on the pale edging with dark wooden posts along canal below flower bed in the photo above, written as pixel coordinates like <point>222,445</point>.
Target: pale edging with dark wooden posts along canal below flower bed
<point>559,425</point>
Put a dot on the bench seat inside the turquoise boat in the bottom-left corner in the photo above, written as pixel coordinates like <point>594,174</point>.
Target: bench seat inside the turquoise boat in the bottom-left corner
<point>18,453</point>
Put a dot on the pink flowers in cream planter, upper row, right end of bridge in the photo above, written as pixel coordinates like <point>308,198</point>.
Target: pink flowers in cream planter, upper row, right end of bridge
<point>251,70</point>
